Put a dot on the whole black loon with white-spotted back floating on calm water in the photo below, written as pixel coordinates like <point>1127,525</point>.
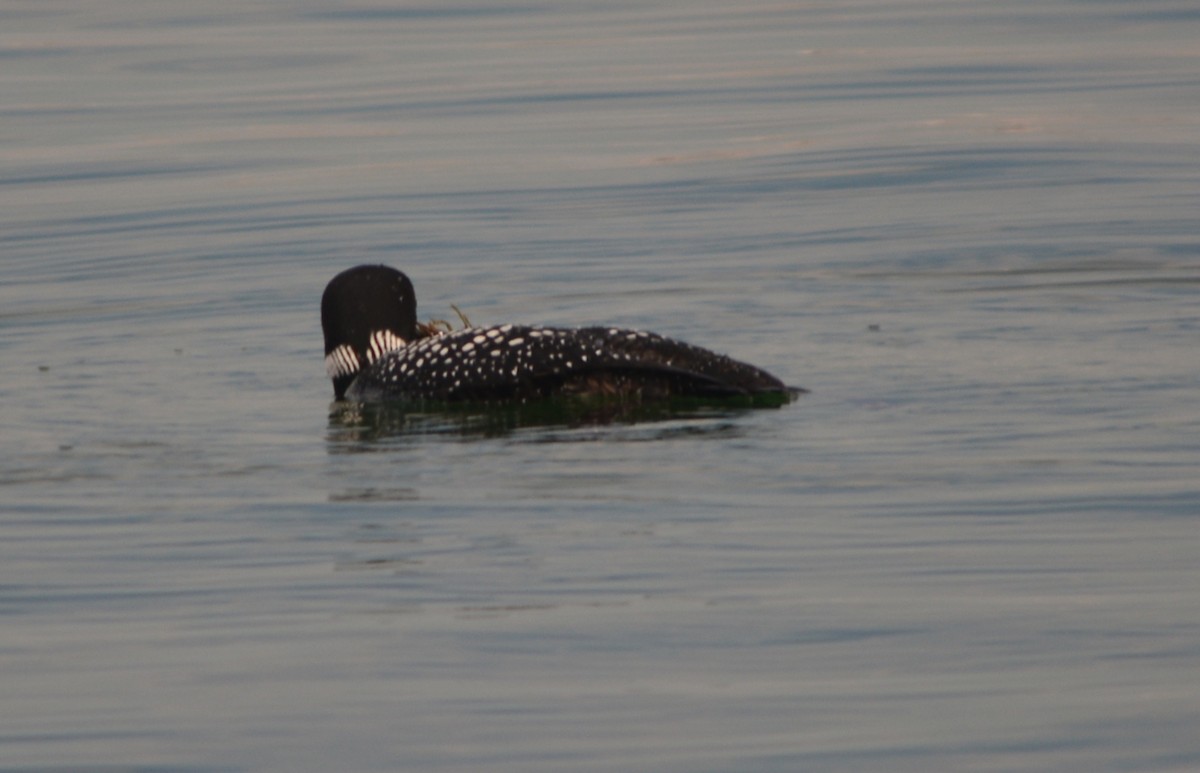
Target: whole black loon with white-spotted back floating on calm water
<point>376,351</point>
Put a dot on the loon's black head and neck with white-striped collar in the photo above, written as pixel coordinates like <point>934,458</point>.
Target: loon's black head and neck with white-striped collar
<point>365,313</point>
